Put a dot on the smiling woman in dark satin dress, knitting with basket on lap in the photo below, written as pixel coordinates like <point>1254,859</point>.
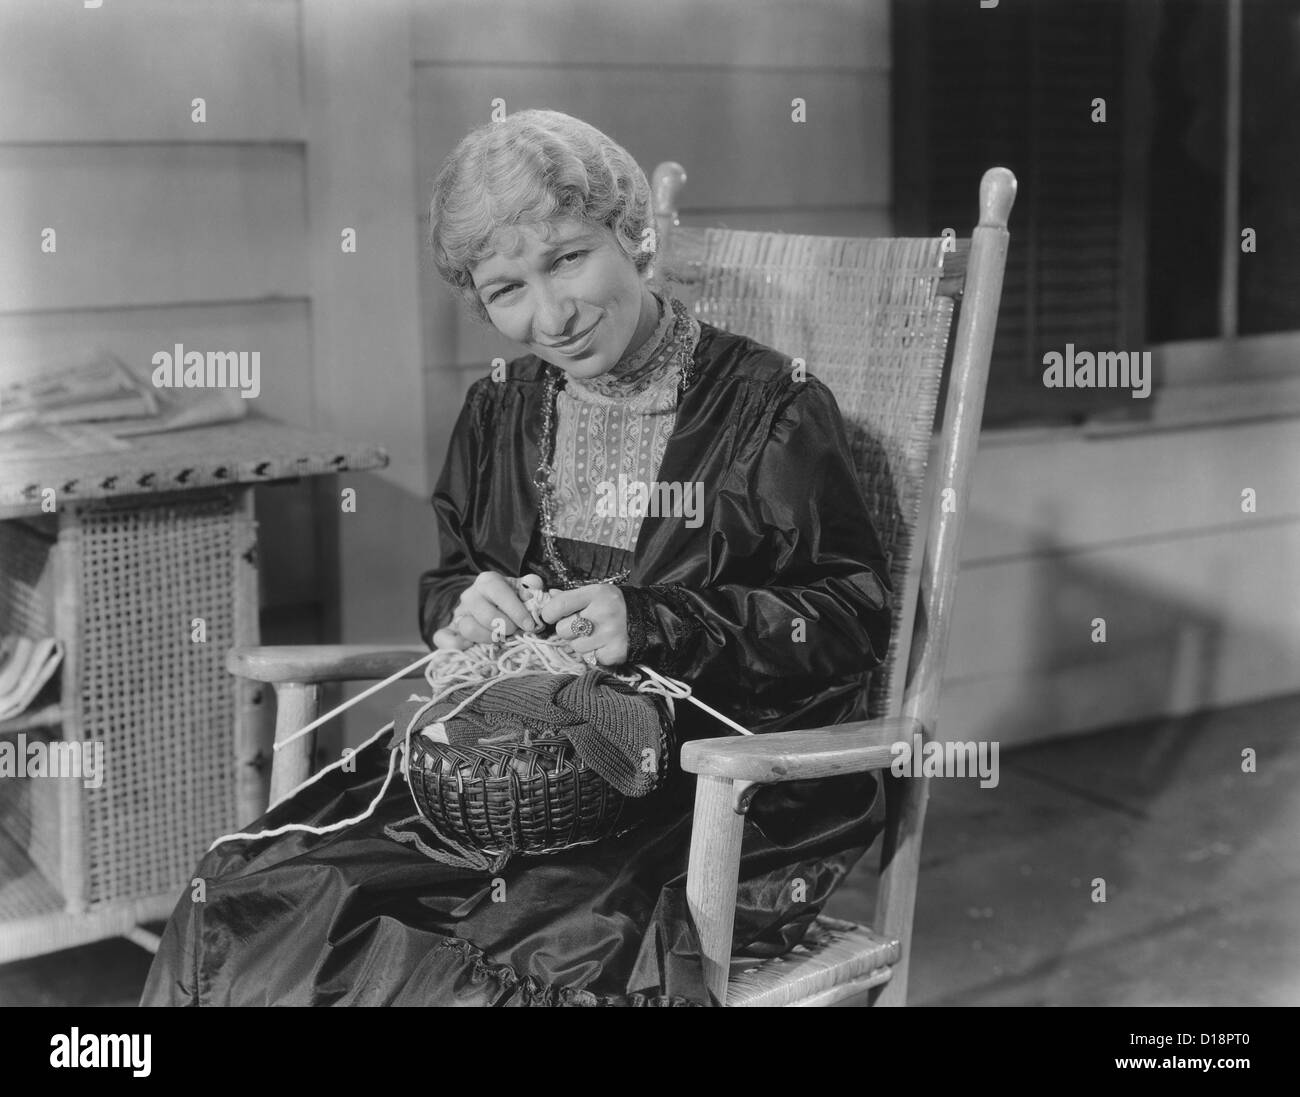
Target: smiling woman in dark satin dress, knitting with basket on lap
<point>769,595</point>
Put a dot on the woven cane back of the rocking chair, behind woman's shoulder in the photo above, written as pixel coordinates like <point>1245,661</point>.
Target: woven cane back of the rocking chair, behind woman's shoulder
<point>866,316</point>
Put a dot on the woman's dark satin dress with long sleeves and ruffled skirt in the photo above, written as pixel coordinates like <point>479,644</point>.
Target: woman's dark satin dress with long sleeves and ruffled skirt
<point>356,918</point>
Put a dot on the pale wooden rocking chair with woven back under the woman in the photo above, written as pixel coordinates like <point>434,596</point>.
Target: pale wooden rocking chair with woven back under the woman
<point>877,320</point>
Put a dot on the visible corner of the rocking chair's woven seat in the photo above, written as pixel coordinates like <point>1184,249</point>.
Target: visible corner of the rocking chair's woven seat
<point>834,953</point>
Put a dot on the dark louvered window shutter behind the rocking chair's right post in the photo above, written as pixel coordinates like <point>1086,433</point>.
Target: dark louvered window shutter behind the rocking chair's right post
<point>1015,86</point>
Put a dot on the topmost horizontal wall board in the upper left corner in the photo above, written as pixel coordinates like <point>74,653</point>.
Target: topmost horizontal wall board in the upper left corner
<point>129,71</point>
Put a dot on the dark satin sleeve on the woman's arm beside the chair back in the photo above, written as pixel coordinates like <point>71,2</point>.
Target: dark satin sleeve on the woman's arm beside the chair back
<point>816,606</point>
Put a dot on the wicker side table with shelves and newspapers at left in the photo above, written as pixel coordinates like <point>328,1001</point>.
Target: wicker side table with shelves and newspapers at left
<point>141,543</point>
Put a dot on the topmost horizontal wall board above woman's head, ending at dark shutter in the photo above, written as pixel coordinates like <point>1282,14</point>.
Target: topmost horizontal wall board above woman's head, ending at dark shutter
<point>852,34</point>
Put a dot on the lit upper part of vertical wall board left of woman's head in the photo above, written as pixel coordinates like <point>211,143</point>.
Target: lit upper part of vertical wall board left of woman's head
<point>366,303</point>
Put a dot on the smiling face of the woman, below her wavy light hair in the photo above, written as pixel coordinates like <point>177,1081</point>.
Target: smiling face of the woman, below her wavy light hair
<point>574,297</point>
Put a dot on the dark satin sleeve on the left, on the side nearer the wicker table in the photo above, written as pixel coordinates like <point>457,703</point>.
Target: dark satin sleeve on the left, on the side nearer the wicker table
<point>443,587</point>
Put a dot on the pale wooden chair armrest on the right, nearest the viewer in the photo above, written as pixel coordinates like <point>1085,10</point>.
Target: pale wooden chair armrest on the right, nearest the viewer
<point>801,755</point>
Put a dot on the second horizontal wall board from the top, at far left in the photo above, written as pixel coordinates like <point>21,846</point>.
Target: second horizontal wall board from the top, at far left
<point>151,226</point>
